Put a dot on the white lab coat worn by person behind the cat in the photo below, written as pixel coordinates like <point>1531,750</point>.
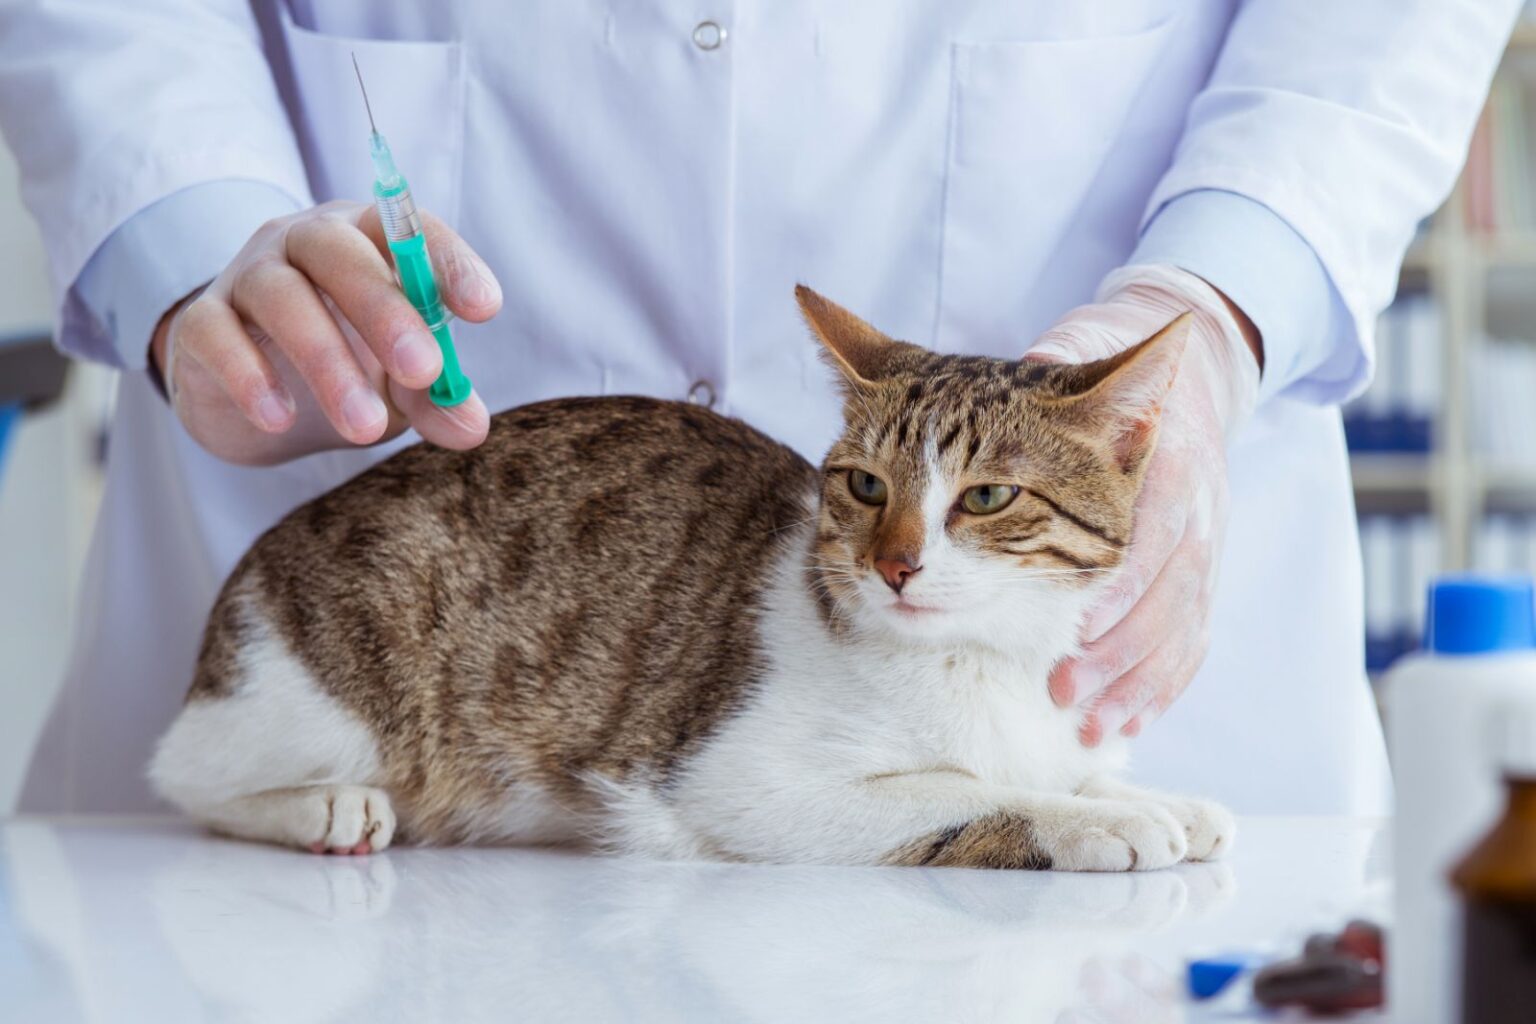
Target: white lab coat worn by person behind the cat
<point>958,171</point>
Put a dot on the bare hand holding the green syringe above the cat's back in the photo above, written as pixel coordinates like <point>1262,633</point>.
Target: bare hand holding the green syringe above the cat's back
<point>306,343</point>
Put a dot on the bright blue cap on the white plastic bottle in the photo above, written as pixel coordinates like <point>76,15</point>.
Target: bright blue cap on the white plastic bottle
<point>1480,615</point>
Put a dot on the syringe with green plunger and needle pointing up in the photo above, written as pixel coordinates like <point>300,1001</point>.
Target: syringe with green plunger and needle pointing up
<point>408,243</point>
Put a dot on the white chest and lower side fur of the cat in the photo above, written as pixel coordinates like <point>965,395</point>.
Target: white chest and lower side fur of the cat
<point>852,710</point>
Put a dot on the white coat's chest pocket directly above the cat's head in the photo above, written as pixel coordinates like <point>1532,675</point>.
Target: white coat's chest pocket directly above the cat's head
<point>1031,127</point>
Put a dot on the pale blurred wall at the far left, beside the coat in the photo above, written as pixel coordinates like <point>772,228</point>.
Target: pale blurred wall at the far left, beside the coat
<point>50,491</point>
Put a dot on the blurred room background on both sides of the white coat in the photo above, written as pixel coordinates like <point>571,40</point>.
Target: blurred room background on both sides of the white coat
<point>1443,444</point>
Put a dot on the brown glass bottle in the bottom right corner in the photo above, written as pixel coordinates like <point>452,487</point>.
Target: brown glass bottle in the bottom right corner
<point>1498,890</point>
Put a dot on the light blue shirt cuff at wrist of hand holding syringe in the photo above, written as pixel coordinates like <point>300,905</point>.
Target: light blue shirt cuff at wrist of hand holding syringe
<point>157,257</point>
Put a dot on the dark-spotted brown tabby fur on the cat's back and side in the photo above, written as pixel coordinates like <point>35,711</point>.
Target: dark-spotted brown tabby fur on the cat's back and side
<point>560,592</point>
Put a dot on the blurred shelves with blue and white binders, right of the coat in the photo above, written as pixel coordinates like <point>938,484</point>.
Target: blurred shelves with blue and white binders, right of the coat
<point>1445,441</point>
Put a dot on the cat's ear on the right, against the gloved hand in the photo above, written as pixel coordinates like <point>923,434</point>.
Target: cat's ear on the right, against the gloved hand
<point>1122,398</point>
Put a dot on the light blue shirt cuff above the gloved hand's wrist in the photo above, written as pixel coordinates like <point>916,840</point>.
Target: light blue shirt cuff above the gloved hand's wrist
<point>1257,260</point>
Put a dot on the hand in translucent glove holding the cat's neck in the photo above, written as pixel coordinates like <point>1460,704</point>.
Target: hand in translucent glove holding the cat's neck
<point>1150,633</point>
